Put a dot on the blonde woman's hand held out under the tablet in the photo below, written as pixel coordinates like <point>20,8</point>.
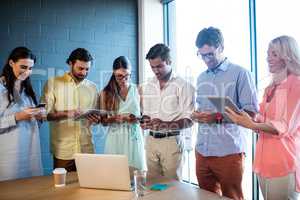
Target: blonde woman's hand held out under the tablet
<point>242,119</point>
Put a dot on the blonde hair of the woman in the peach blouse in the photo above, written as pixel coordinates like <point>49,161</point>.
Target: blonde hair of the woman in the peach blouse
<point>288,50</point>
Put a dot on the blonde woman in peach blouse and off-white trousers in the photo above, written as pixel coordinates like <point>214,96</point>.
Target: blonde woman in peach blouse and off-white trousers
<point>278,125</point>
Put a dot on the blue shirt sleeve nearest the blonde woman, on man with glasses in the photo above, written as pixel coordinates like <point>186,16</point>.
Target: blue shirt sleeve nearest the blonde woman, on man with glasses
<point>247,92</point>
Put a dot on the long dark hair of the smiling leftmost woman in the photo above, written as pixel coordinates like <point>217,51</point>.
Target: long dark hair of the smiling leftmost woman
<point>10,78</point>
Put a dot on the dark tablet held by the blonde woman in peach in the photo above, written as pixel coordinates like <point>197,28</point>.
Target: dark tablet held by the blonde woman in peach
<point>221,102</point>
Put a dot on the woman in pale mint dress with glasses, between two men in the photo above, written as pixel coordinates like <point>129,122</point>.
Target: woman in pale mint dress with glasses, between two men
<point>121,97</point>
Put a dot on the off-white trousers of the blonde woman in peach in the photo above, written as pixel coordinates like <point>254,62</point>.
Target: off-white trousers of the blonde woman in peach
<point>279,188</point>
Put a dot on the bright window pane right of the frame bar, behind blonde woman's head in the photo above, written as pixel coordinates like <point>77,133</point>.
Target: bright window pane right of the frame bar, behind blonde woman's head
<point>280,20</point>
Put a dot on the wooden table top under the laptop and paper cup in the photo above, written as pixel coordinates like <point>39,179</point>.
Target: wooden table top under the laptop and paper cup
<point>42,188</point>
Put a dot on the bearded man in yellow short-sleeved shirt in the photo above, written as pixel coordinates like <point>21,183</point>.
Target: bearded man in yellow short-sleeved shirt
<point>66,97</point>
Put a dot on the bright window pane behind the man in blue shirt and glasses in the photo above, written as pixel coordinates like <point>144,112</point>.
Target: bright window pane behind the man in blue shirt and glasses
<point>232,17</point>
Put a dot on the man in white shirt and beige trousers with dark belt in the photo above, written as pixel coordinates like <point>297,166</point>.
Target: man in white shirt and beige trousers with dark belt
<point>169,101</point>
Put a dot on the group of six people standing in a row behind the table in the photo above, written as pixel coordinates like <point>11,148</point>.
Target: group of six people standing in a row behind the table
<point>163,107</point>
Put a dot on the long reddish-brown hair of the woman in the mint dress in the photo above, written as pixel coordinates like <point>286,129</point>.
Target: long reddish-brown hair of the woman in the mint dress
<point>109,98</point>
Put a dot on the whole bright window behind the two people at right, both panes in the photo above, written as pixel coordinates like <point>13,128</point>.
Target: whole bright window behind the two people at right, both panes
<point>269,19</point>
